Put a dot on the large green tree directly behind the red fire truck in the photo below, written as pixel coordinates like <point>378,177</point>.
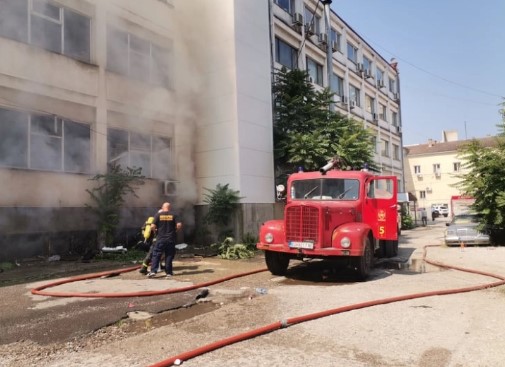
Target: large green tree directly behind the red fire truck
<point>308,133</point>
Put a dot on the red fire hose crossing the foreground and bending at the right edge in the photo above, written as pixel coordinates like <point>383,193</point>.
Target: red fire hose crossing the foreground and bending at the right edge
<point>178,359</point>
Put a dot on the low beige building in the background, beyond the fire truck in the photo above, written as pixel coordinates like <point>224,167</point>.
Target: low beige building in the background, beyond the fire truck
<point>432,169</point>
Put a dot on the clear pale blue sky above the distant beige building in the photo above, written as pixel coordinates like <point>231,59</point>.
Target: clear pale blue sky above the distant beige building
<point>451,58</point>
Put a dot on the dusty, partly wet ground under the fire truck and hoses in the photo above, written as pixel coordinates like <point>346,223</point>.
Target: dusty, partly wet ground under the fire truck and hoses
<point>456,330</point>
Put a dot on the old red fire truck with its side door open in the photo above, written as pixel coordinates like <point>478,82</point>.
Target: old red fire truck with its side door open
<point>350,216</point>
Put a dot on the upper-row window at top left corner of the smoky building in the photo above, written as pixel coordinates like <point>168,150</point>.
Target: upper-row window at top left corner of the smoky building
<point>46,25</point>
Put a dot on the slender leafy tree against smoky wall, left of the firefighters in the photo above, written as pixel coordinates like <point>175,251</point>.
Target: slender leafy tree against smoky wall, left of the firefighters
<point>109,196</point>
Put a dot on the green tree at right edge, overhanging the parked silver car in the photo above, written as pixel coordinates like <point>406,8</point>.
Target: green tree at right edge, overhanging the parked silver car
<point>485,180</point>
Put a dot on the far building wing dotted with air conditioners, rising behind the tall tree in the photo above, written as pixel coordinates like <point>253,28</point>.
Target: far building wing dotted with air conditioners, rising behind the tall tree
<point>366,86</point>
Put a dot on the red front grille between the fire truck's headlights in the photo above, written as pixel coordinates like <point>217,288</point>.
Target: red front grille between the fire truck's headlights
<point>302,224</point>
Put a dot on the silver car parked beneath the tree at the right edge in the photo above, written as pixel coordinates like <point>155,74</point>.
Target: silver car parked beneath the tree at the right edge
<point>463,229</point>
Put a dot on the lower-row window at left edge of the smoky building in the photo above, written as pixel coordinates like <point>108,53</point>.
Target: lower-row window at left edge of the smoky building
<point>44,142</point>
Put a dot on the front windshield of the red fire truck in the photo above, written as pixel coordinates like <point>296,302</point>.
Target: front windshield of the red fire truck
<point>325,189</point>
